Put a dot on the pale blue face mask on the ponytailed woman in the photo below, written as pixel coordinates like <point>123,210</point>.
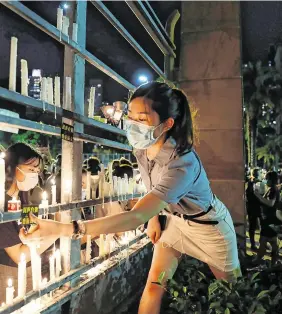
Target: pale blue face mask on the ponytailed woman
<point>139,135</point>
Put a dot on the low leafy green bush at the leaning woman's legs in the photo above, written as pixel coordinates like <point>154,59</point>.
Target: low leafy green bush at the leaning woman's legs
<point>194,292</point>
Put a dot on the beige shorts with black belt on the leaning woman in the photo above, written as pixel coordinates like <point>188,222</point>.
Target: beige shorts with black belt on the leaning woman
<point>215,245</point>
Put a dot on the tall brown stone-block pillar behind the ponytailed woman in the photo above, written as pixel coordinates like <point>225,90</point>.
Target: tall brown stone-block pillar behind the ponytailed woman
<point>210,74</point>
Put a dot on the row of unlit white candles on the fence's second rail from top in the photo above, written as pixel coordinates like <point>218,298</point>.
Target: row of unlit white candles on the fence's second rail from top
<point>50,89</point>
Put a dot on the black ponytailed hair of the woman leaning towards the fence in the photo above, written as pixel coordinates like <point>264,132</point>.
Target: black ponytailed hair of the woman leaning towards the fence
<point>170,102</point>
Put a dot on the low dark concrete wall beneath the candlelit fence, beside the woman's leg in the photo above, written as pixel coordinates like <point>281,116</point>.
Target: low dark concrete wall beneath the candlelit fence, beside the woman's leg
<point>112,291</point>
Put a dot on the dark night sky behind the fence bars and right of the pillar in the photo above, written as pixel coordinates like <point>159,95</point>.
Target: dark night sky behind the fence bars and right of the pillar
<point>261,26</point>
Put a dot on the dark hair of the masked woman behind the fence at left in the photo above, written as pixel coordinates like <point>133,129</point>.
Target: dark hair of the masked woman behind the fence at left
<point>17,154</point>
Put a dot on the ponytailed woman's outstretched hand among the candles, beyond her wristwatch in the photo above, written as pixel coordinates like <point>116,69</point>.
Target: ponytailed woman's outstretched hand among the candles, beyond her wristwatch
<point>44,229</point>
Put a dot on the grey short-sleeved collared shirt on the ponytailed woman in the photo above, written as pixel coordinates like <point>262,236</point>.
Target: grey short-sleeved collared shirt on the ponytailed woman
<point>180,181</point>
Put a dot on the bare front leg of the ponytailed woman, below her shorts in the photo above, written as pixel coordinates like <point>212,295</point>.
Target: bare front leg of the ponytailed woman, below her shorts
<point>164,260</point>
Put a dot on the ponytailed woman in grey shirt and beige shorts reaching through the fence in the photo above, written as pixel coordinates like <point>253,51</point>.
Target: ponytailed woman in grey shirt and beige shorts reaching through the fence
<point>160,129</point>
